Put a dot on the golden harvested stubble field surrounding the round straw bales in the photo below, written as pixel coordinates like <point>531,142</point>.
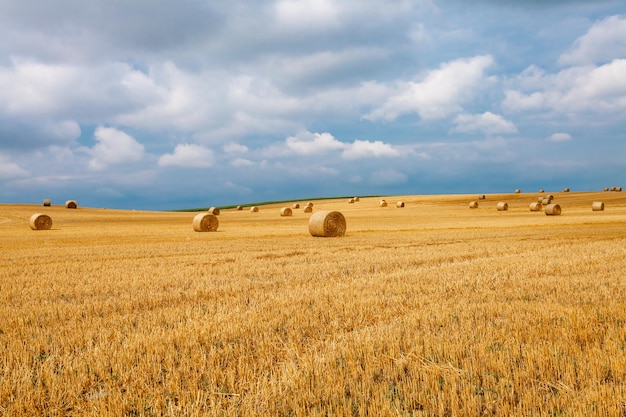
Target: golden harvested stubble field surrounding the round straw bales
<point>434,309</point>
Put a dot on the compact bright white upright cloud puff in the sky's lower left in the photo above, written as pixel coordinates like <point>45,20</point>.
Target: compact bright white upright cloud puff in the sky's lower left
<point>114,147</point>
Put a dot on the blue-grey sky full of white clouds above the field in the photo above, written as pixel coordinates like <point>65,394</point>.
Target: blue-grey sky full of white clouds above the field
<point>159,105</point>
